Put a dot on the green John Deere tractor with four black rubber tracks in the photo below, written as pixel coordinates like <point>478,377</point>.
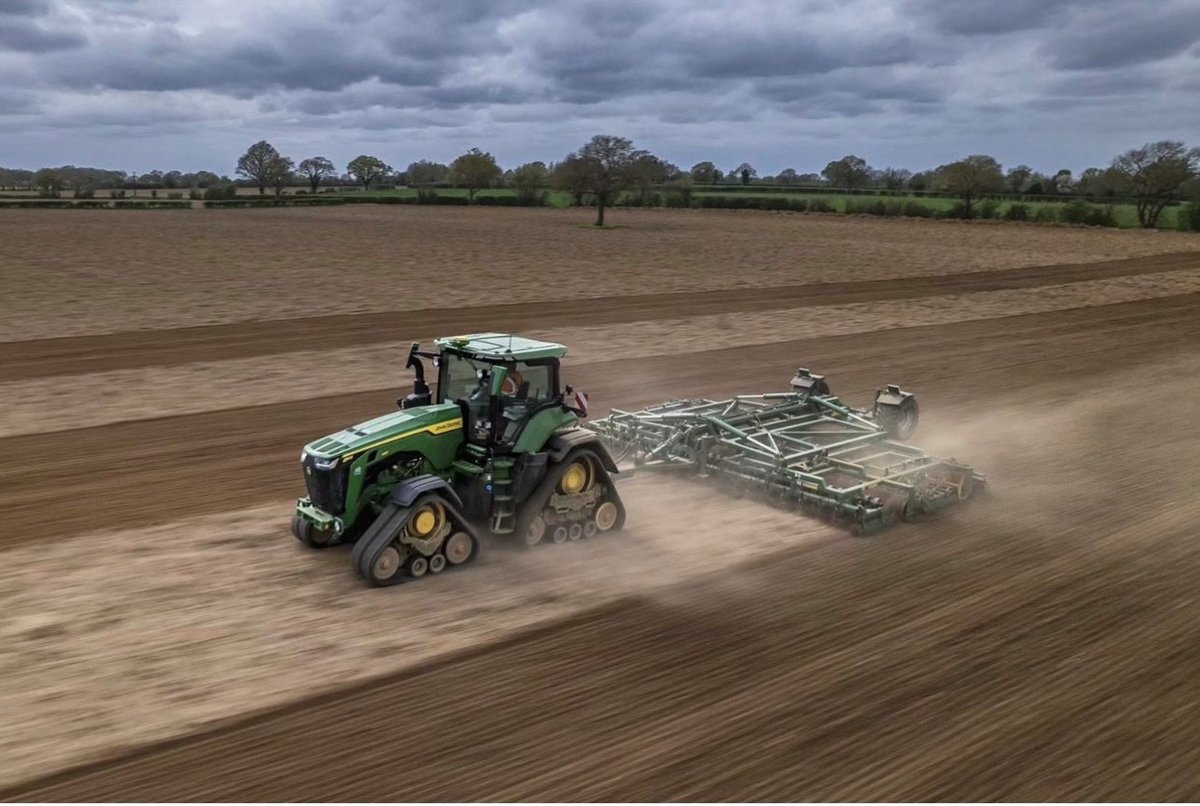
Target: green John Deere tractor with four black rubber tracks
<point>495,450</point>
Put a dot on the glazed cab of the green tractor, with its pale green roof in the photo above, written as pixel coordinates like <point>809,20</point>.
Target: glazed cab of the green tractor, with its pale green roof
<point>503,384</point>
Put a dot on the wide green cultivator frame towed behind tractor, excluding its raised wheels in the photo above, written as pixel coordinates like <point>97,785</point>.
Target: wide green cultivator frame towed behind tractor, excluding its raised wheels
<point>797,449</point>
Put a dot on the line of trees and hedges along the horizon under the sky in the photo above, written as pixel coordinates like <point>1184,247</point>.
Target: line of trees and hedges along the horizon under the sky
<point>1153,177</point>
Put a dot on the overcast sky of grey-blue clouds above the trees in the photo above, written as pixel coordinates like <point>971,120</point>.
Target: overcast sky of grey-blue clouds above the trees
<point>141,85</point>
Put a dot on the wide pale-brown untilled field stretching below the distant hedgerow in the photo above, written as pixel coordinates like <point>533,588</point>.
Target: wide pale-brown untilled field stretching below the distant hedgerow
<point>76,275</point>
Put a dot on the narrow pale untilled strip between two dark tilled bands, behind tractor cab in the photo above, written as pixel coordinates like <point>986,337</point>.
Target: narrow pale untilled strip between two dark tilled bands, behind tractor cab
<point>58,404</point>
